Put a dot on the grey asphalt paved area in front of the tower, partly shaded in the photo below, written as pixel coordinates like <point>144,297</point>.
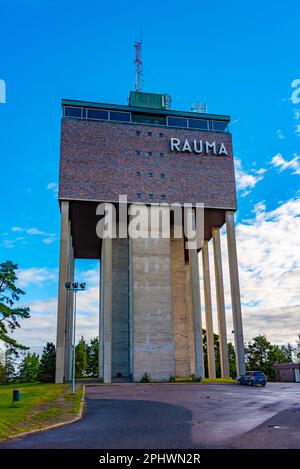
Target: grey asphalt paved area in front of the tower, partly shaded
<point>180,416</point>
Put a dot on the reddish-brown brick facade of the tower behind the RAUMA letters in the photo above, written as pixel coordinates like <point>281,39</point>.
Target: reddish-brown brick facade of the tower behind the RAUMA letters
<point>99,161</point>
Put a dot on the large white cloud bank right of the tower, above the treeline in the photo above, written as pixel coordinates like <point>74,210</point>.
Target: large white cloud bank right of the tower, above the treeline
<point>269,267</point>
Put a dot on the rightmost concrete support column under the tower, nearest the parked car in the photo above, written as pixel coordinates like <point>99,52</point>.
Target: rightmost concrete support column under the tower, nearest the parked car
<point>235,294</point>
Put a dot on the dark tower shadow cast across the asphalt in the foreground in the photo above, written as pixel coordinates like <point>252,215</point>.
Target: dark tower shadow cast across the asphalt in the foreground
<point>114,423</point>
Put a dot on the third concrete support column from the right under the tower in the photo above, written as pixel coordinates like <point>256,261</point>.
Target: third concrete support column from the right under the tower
<point>210,347</point>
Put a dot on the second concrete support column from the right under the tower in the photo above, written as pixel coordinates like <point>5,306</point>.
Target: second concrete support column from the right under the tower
<point>220,303</point>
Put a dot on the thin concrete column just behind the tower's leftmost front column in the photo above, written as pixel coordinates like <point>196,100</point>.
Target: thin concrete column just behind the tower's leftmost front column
<point>70,314</point>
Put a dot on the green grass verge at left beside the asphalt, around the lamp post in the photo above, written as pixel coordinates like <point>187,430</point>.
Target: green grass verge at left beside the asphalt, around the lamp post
<point>41,405</point>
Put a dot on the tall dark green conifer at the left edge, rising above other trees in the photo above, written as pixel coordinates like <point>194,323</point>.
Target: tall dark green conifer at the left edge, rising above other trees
<point>9,314</point>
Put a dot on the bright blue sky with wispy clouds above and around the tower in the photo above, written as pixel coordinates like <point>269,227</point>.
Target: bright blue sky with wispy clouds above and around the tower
<point>240,58</point>
